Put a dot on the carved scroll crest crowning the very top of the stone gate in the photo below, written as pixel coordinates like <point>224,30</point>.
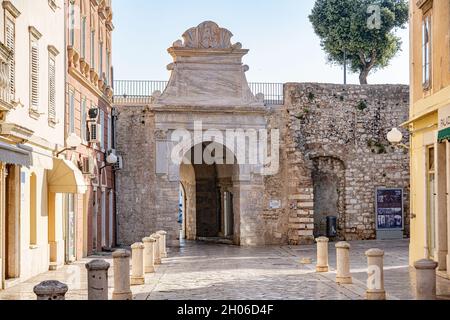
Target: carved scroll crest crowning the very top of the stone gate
<point>208,35</point>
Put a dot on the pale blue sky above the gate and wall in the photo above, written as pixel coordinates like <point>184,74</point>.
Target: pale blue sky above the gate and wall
<point>283,46</point>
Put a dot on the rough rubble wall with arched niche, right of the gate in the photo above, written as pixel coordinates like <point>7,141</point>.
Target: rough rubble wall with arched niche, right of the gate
<point>343,130</point>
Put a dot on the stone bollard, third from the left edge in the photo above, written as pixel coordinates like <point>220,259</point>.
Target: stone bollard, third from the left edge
<point>122,275</point>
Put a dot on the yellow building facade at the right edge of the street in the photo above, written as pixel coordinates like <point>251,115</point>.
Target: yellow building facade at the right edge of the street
<point>429,128</point>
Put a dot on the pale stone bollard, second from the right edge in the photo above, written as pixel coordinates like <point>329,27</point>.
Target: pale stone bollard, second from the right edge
<point>375,271</point>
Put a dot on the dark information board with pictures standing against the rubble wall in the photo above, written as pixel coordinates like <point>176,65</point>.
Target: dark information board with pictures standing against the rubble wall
<point>390,218</point>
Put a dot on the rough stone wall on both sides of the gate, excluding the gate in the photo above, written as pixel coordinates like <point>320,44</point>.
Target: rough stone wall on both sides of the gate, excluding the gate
<point>332,136</point>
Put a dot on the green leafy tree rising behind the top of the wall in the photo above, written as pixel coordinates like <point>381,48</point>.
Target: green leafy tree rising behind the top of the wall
<point>363,29</point>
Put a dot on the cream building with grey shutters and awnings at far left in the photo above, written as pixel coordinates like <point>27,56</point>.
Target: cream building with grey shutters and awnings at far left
<point>33,179</point>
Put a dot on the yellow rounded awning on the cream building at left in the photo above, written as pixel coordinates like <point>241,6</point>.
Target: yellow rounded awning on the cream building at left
<point>65,177</point>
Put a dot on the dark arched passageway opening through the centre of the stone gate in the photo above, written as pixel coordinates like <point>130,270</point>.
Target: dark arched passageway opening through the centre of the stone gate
<point>208,189</point>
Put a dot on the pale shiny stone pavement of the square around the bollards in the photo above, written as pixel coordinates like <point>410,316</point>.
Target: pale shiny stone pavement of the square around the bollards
<point>200,271</point>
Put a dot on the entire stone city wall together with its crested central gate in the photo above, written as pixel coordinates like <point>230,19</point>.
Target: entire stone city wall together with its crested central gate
<point>328,153</point>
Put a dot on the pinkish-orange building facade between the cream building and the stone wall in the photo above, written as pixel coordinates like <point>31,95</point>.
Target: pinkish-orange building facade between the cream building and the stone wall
<point>89,117</point>
